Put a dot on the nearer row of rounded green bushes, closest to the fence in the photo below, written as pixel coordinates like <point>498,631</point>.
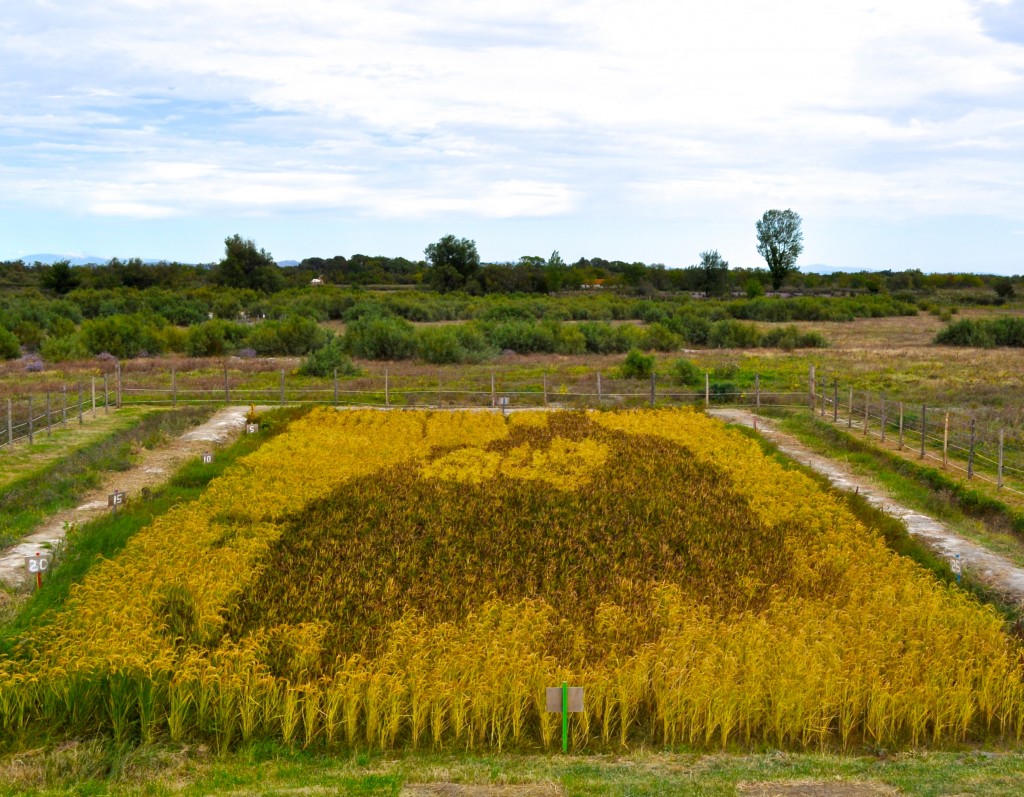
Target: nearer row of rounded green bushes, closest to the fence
<point>392,338</point>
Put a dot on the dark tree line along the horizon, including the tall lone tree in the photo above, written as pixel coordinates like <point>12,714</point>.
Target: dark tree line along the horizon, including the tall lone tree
<point>453,265</point>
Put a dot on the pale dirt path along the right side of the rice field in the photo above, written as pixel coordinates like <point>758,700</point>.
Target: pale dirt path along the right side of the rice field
<point>991,569</point>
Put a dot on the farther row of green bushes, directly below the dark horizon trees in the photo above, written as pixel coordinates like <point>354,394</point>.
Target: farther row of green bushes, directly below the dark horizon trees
<point>33,318</point>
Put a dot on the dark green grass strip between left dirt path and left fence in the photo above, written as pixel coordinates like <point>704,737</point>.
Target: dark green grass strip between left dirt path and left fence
<point>25,504</point>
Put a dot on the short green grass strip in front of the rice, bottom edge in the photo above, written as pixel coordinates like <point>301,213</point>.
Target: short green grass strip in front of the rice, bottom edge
<point>99,769</point>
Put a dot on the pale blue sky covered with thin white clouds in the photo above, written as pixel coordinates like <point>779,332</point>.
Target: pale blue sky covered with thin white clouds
<point>651,131</point>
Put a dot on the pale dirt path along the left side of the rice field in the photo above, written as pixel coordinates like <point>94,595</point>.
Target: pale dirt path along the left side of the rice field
<point>156,468</point>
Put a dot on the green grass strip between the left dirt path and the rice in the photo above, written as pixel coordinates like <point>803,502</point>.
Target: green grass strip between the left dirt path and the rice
<point>105,537</point>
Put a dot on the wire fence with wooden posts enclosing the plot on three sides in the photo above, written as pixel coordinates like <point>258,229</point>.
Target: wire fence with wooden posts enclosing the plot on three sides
<point>980,446</point>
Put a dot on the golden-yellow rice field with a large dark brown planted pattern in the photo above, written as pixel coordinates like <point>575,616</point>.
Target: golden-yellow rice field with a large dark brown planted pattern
<point>414,580</point>
